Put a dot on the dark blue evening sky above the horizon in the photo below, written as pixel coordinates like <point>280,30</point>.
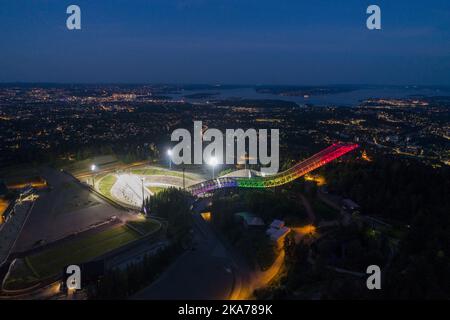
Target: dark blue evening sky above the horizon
<point>226,41</point>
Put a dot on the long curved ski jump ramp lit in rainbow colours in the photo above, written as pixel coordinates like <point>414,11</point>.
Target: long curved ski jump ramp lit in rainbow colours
<point>319,159</point>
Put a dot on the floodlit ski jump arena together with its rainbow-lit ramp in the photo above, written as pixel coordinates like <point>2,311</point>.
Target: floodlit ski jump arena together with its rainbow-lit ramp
<point>132,187</point>
